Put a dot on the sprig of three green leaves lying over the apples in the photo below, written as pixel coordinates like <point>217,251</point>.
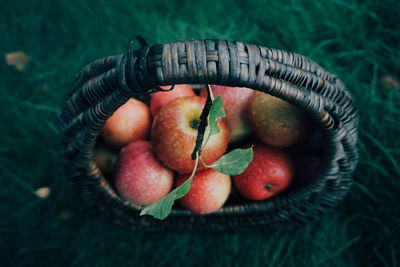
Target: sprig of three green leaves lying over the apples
<point>232,163</point>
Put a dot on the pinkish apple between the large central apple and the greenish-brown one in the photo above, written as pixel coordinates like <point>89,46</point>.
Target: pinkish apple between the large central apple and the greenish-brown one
<point>235,101</point>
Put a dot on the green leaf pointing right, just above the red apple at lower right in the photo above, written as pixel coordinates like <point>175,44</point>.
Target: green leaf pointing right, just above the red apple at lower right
<point>235,162</point>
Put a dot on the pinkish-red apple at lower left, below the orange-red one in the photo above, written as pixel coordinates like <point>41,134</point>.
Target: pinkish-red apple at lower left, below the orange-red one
<point>139,177</point>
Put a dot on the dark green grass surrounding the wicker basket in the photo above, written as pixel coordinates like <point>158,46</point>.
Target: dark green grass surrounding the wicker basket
<point>357,40</point>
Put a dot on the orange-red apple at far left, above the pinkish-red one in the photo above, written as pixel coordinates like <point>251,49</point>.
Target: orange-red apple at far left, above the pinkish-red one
<point>130,122</point>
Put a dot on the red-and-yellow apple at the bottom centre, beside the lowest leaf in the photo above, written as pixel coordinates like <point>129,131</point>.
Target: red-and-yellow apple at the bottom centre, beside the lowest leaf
<point>208,192</point>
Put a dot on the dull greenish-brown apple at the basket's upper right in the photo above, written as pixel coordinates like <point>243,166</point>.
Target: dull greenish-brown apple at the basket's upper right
<point>276,122</point>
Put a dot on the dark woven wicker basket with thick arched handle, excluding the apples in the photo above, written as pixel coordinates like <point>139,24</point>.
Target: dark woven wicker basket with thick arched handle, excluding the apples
<point>106,84</point>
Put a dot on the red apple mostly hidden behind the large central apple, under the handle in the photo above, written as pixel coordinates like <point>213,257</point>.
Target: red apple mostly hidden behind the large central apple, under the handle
<point>159,99</point>
